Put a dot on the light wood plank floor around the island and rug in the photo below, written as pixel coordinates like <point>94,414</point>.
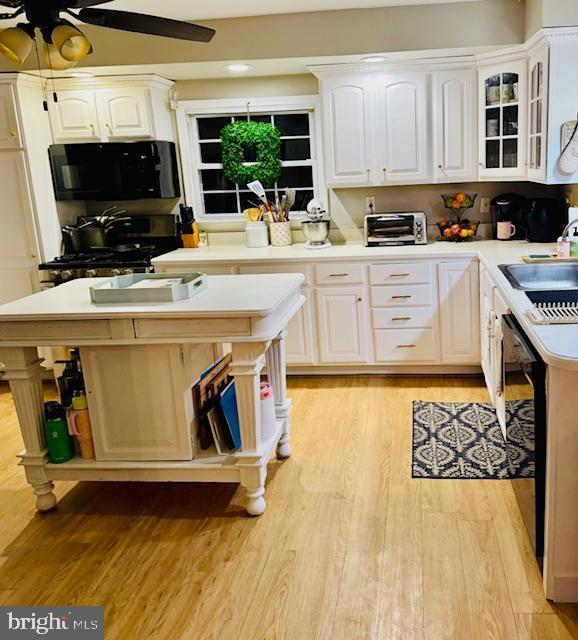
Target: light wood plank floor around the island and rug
<point>350,547</point>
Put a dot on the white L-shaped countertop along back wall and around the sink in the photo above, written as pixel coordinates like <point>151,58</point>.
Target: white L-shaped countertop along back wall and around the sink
<point>557,344</point>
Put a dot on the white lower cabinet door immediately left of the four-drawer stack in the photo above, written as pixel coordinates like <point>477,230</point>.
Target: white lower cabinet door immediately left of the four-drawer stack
<point>342,325</point>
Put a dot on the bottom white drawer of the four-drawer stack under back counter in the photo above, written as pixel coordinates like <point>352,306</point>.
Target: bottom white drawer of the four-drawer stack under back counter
<point>405,345</point>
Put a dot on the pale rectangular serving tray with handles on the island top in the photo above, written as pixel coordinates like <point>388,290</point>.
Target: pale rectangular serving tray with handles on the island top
<point>117,289</point>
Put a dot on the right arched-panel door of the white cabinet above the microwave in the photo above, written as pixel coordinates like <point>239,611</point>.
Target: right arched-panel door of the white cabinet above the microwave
<point>125,113</point>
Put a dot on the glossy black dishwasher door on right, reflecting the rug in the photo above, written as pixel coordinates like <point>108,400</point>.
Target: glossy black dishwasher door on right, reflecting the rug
<point>525,394</point>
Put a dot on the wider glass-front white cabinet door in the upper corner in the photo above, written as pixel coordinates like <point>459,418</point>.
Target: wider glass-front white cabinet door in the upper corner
<point>502,120</point>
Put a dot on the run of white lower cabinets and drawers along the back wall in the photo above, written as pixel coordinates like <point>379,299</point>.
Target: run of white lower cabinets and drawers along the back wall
<point>377,313</point>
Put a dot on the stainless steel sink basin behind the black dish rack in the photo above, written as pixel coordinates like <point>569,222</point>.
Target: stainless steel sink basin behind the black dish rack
<point>533,277</point>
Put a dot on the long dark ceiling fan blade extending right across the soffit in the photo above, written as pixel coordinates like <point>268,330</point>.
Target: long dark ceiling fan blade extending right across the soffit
<point>141,23</point>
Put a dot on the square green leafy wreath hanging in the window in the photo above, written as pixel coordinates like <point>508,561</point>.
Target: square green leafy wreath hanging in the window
<point>261,137</point>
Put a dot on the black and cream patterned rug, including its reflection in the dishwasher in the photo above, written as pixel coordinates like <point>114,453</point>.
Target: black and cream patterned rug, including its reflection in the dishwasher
<point>464,441</point>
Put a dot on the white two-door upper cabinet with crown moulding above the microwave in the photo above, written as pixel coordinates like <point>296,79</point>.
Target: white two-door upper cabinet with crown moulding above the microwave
<point>115,108</point>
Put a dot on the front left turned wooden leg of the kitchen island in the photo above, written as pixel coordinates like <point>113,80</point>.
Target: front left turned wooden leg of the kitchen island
<point>24,373</point>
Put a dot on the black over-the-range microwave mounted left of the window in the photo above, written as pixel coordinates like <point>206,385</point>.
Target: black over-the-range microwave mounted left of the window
<point>114,170</point>
